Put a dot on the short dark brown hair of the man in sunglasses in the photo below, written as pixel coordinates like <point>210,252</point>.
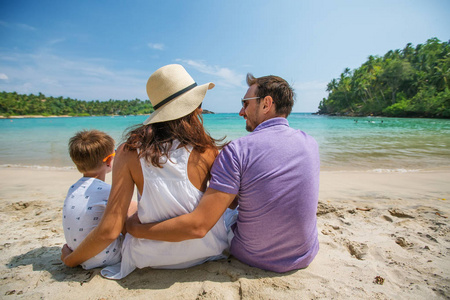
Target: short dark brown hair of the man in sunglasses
<point>276,87</point>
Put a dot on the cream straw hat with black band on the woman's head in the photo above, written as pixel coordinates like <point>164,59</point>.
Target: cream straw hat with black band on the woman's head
<point>173,94</point>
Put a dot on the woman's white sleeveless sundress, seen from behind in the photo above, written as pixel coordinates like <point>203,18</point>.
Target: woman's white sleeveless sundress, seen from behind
<point>168,193</point>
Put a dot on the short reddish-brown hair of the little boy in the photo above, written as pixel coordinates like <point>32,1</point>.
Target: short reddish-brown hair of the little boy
<point>88,148</point>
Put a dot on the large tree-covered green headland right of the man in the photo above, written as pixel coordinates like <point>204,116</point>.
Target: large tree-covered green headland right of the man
<point>412,82</point>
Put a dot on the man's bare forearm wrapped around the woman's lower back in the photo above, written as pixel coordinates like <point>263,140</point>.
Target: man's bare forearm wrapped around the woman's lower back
<point>189,226</point>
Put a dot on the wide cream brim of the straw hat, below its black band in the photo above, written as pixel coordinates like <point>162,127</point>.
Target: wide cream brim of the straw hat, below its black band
<point>180,106</point>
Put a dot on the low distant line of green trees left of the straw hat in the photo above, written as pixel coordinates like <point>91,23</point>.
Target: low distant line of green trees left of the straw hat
<point>13,104</point>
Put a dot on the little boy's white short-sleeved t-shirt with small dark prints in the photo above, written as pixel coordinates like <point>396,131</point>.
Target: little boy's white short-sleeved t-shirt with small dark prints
<point>82,211</point>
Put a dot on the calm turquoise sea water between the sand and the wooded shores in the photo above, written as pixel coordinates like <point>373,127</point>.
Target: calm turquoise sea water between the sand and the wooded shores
<point>346,143</point>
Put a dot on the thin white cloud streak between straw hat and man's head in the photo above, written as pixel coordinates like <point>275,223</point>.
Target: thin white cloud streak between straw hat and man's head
<point>226,76</point>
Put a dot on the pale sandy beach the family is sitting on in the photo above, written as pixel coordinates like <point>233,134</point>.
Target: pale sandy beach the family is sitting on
<point>383,235</point>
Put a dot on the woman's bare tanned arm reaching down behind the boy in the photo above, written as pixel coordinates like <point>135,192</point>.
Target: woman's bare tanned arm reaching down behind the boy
<point>115,213</point>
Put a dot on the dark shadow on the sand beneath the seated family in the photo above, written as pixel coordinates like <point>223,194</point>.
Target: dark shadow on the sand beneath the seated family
<point>225,270</point>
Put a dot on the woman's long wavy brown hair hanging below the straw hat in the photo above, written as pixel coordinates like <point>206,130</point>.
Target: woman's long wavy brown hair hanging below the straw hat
<point>155,140</point>
